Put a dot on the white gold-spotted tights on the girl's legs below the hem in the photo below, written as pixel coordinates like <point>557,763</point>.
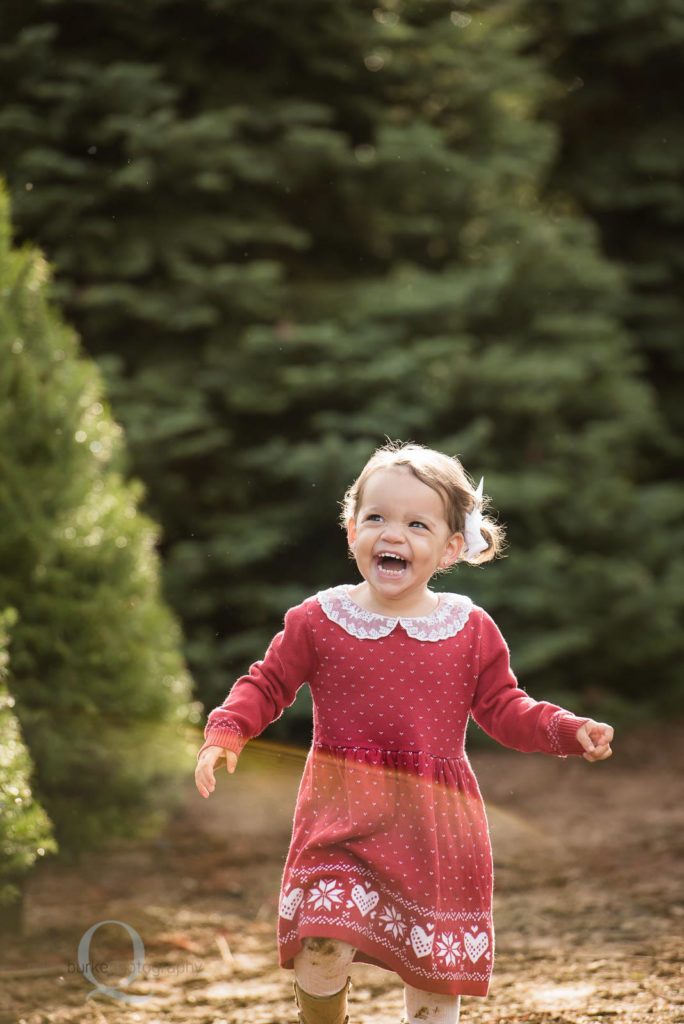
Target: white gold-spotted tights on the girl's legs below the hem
<point>322,968</point>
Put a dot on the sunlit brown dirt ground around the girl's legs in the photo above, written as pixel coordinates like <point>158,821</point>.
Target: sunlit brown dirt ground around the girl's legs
<point>589,907</point>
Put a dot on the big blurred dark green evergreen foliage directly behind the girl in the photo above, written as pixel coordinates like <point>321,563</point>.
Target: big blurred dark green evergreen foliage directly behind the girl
<point>286,233</point>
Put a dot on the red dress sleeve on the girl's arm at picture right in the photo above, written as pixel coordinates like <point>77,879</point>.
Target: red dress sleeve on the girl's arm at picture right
<point>508,715</point>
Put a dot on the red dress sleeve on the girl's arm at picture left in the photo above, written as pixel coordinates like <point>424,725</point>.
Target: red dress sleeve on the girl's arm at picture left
<point>261,697</point>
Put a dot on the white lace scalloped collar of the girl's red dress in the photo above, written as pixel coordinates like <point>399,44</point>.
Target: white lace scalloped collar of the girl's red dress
<point>449,618</point>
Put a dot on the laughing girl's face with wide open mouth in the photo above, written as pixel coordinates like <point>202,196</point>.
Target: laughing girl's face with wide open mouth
<point>400,537</point>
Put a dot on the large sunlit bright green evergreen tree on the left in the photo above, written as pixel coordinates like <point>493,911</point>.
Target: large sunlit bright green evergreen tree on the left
<point>101,689</point>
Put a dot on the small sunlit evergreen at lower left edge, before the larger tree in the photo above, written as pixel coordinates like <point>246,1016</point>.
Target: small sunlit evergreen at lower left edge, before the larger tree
<point>26,832</point>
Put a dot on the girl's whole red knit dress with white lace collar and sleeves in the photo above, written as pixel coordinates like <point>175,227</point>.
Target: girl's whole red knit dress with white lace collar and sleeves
<point>391,848</point>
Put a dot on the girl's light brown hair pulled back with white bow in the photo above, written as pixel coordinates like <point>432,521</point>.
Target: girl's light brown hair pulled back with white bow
<point>442,473</point>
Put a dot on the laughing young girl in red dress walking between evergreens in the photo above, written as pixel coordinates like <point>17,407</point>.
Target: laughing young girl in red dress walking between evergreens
<point>391,862</point>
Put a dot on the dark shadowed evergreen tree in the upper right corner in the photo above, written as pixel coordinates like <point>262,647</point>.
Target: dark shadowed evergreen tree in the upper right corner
<point>616,104</point>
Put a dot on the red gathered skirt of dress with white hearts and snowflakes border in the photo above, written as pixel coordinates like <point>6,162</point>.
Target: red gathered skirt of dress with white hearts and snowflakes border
<point>391,852</point>
